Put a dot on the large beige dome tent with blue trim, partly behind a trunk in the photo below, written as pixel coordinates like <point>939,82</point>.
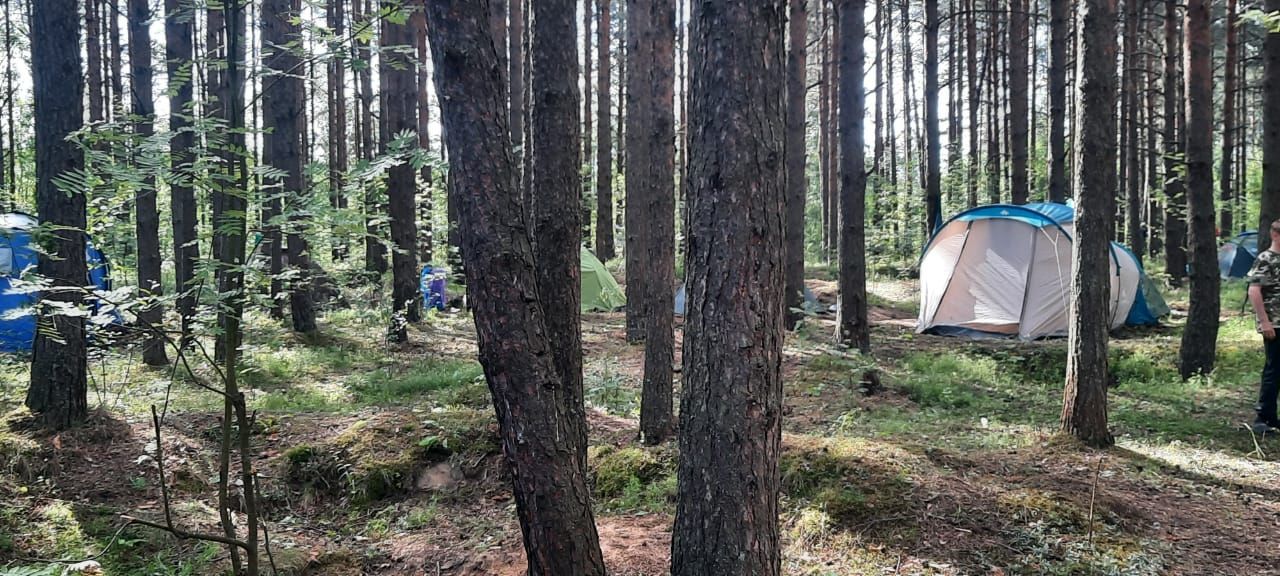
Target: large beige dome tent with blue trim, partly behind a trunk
<point>1007,271</point>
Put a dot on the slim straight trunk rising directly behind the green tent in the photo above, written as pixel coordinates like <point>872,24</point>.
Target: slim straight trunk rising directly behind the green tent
<point>605,144</point>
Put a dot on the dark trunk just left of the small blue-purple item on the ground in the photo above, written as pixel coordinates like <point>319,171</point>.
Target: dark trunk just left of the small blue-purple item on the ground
<point>400,116</point>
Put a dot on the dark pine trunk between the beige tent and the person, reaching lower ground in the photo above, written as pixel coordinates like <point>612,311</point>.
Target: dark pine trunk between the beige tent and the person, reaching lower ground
<point>1200,337</point>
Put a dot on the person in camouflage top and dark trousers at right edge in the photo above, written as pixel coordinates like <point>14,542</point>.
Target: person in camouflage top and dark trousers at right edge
<point>1265,296</point>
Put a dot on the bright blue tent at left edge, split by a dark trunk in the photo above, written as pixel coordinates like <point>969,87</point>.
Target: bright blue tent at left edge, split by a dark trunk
<point>19,258</point>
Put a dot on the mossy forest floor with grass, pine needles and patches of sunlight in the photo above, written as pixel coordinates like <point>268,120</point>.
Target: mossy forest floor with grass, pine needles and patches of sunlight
<point>381,459</point>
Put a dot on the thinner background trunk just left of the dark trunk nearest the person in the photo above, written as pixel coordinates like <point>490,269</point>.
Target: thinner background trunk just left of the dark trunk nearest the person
<point>1176,200</point>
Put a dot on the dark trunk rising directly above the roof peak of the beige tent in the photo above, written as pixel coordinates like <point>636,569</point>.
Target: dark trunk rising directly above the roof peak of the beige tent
<point>1018,100</point>
